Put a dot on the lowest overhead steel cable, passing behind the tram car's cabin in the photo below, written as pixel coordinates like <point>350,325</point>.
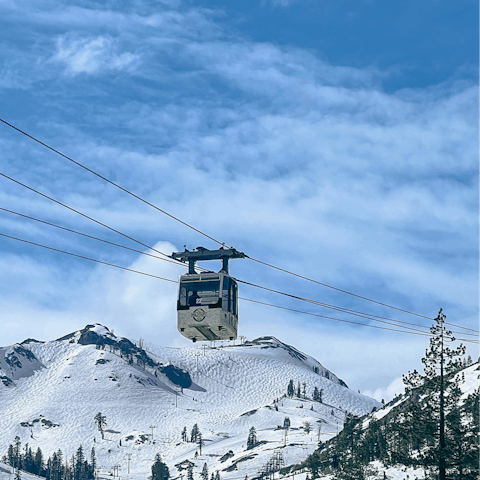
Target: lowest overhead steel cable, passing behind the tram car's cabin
<point>242,298</point>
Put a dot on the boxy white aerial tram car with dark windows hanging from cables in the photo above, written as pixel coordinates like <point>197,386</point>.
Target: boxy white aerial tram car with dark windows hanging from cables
<point>207,306</point>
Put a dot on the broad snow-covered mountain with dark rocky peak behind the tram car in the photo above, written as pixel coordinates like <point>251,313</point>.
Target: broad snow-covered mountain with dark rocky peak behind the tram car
<point>51,391</point>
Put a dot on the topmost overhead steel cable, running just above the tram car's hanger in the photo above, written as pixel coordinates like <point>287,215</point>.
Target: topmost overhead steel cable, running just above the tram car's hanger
<point>201,232</point>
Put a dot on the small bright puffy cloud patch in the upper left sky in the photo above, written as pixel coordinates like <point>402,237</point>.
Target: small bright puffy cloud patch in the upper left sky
<point>93,55</point>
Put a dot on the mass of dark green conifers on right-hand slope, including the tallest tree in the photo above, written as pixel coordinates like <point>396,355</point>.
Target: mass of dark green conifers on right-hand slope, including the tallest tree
<point>431,427</point>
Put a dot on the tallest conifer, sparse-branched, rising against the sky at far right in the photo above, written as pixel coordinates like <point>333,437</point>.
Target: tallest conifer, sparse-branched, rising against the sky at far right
<point>438,394</point>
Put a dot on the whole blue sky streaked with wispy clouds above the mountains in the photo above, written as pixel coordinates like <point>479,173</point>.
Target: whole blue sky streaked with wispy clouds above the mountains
<point>335,139</point>
